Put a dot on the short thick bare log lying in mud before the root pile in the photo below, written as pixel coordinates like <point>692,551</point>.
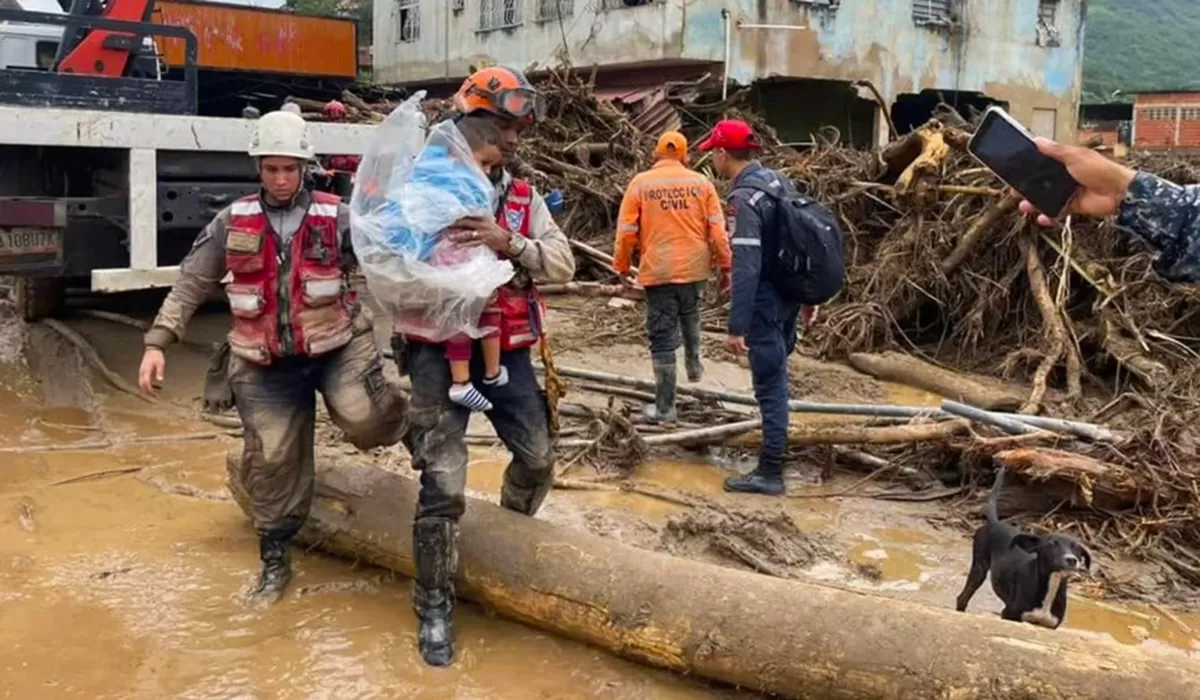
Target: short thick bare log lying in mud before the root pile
<point>910,372</point>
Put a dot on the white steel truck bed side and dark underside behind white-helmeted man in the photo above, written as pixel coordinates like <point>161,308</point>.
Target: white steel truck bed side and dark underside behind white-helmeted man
<point>136,151</point>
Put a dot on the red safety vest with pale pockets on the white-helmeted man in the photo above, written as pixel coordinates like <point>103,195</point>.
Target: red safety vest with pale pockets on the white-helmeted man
<point>310,312</point>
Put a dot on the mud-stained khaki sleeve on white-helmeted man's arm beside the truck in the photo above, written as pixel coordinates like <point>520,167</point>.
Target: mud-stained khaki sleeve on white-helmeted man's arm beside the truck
<point>200,276</point>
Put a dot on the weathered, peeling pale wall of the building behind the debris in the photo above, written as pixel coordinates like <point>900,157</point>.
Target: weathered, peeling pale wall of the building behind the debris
<point>998,47</point>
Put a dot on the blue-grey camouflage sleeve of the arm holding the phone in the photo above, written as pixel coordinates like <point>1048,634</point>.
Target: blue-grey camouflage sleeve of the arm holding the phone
<point>1167,217</point>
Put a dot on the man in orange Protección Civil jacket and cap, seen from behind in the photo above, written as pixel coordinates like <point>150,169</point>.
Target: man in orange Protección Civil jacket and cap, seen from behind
<point>674,218</point>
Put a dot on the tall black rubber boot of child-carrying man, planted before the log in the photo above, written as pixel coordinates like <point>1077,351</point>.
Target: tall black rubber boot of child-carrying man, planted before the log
<point>437,561</point>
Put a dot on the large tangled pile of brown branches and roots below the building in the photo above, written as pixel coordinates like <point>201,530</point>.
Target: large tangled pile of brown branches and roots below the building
<point>944,268</point>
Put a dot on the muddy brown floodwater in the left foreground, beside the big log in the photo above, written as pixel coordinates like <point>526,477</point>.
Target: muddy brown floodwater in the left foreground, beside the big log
<point>152,585</point>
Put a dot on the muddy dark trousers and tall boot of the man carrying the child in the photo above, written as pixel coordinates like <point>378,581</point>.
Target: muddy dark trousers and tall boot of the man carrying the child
<point>437,441</point>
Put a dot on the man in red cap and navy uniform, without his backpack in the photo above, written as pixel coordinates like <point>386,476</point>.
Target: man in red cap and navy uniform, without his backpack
<point>761,322</point>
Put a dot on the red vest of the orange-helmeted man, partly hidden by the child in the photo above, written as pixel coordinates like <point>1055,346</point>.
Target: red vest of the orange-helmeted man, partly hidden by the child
<point>518,307</point>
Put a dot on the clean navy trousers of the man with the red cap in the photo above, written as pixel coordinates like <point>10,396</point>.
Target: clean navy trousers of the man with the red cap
<point>771,342</point>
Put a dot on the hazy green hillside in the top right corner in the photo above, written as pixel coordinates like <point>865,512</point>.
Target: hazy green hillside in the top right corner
<point>1141,45</point>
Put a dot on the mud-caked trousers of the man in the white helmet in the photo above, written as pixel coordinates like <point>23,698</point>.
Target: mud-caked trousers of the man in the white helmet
<point>278,406</point>
